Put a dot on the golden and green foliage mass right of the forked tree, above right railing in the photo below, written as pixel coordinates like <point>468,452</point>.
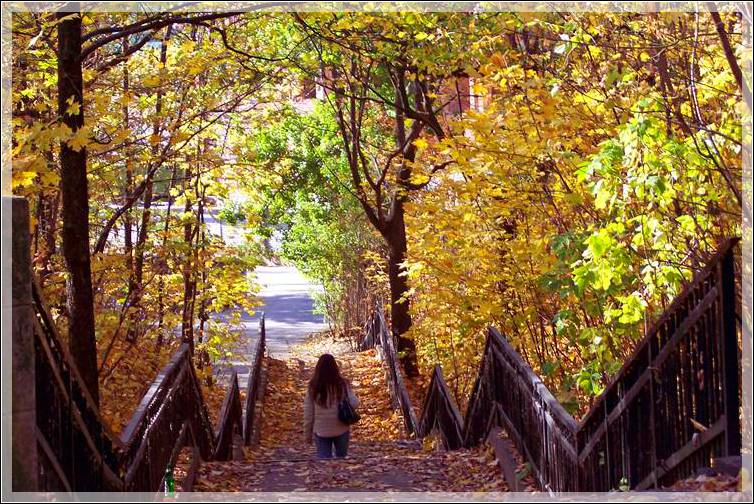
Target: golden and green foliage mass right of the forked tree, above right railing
<point>594,245</point>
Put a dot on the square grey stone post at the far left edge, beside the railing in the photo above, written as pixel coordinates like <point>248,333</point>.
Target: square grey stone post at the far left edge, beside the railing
<point>22,366</point>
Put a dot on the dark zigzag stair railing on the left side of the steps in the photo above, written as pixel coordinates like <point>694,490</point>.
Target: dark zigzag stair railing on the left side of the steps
<point>78,452</point>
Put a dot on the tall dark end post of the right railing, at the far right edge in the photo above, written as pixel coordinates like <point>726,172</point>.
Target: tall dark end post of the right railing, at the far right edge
<point>730,355</point>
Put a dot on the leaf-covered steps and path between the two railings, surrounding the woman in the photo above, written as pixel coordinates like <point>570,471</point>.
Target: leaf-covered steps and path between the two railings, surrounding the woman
<point>379,459</point>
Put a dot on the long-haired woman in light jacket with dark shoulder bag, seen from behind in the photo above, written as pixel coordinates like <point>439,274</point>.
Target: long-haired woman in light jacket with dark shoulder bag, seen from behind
<point>327,397</point>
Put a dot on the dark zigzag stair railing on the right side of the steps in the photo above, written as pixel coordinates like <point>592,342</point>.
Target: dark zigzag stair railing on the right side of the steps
<point>610,447</point>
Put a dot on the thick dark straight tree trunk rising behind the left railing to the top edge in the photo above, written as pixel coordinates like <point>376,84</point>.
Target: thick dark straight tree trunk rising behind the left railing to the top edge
<point>75,202</point>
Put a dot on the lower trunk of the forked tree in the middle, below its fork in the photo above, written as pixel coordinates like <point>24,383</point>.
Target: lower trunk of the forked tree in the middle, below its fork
<point>395,236</point>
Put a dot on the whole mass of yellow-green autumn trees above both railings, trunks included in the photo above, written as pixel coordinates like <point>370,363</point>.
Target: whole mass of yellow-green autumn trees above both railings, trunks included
<point>559,175</point>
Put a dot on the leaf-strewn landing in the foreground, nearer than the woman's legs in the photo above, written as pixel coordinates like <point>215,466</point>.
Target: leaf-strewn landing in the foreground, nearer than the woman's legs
<point>380,467</point>
